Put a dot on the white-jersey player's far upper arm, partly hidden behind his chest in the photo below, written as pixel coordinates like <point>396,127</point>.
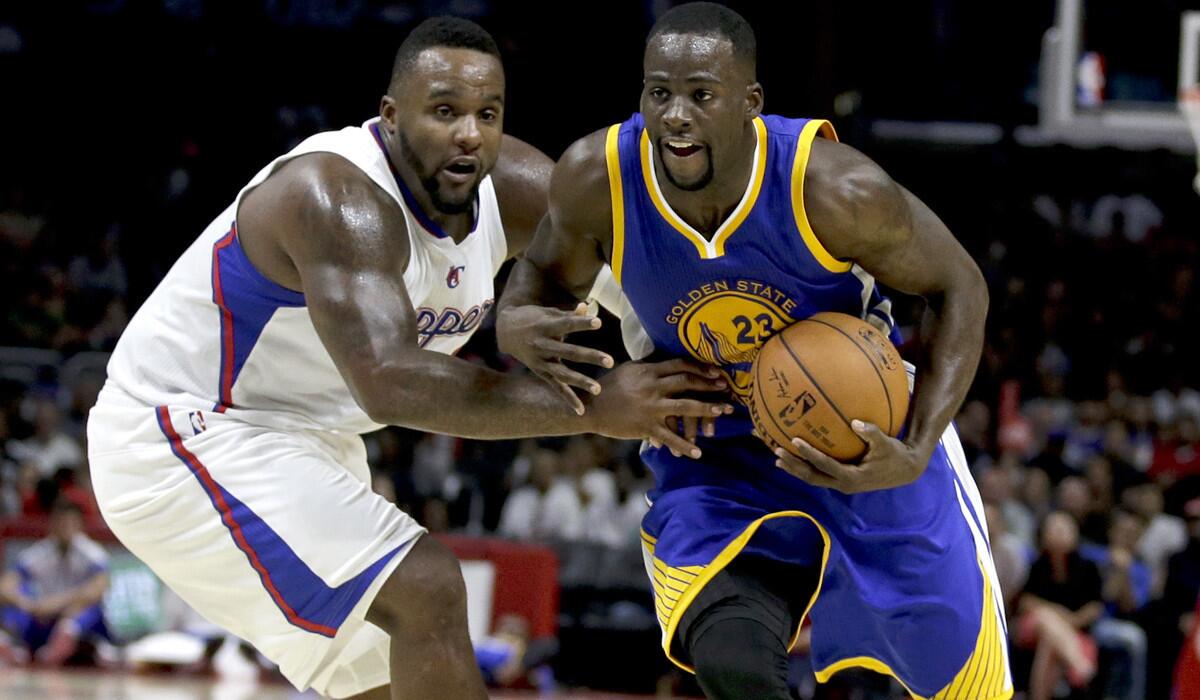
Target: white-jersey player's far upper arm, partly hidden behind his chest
<point>523,187</point>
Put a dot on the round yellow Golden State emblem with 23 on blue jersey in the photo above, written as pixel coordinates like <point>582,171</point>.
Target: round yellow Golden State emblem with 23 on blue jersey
<point>724,325</point>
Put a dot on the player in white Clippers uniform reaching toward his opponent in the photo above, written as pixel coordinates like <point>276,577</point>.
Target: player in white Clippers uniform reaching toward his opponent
<point>327,301</point>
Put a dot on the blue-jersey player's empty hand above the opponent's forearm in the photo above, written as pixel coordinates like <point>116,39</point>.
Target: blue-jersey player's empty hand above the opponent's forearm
<point>535,337</point>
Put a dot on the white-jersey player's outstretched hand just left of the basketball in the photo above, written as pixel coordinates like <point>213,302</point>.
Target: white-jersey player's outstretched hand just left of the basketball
<point>639,398</point>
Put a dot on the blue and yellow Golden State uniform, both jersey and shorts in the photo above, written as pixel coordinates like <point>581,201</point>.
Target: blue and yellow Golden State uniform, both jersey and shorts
<point>907,583</point>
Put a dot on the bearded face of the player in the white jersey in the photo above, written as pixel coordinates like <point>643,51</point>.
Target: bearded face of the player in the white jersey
<point>448,118</point>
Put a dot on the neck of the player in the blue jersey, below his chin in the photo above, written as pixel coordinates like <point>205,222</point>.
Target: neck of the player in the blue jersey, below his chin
<point>707,210</point>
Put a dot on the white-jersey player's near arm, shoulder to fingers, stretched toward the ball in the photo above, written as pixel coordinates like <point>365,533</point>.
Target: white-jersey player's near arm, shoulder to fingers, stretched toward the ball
<point>347,243</point>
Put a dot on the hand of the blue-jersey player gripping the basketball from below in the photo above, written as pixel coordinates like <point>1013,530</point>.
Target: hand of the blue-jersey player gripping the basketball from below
<point>887,464</point>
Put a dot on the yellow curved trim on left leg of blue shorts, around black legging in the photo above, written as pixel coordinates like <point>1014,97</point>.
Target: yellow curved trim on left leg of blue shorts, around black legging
<point>676,588</point>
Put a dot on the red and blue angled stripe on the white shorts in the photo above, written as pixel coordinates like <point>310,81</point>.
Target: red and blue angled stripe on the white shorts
<point>301,595</point>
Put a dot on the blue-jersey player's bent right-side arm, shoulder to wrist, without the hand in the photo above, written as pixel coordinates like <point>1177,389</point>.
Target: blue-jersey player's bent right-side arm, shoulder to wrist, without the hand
<point>862,216</point>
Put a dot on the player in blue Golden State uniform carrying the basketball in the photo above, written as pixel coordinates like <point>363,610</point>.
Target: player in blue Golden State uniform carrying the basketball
<point>722,226</point>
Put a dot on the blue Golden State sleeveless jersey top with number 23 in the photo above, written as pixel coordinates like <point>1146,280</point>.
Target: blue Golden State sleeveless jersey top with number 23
<point>719,300</point>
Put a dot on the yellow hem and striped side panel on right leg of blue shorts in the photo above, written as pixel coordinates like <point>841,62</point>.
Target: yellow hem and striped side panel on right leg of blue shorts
<point>983,677</point>
